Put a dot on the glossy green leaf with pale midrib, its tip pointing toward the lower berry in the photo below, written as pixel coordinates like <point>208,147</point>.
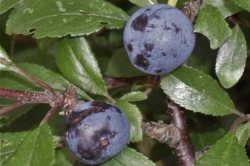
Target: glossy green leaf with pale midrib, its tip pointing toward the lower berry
<point>78,64</point>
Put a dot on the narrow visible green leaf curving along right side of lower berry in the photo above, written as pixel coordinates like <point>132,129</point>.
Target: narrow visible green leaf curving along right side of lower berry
<point>134,117</point>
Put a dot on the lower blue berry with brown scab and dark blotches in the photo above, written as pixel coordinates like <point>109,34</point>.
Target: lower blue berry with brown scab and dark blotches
<point>96,131</point>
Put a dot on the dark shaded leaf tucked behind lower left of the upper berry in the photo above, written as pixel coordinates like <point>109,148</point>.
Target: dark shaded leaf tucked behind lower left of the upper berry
<point>120,65</point>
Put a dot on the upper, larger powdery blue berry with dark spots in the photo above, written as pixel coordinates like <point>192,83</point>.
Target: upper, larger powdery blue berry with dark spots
<point>158,39</point>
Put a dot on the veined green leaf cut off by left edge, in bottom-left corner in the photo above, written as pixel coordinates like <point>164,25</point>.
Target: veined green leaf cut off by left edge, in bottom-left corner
<point>9,144</point>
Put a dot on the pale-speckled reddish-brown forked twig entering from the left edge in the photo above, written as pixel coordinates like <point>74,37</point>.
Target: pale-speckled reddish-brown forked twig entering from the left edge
<point>67,100</point>
